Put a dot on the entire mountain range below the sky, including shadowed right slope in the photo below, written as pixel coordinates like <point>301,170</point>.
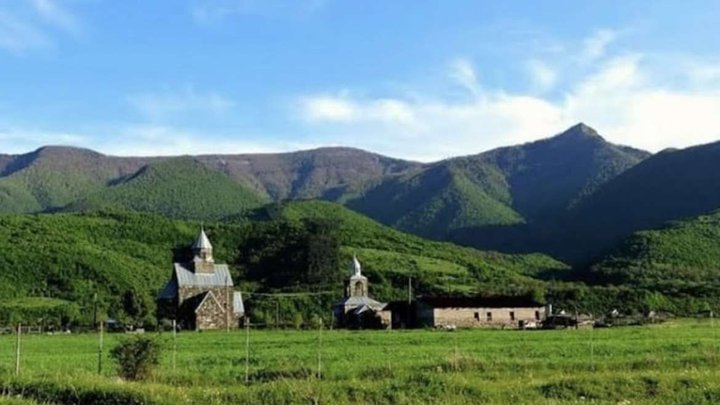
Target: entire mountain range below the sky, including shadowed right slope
<point>574,196</point>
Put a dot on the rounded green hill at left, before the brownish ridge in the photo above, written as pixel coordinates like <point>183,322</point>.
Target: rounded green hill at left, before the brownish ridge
<point>176,188</point>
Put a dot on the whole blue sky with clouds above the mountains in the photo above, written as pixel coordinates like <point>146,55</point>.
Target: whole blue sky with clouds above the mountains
<point>418,80</point>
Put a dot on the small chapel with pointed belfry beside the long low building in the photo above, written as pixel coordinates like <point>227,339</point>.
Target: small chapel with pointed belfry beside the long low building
<point>357,310</point>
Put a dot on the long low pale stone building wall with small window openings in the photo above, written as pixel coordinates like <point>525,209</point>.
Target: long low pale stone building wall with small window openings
<point>480,317</point>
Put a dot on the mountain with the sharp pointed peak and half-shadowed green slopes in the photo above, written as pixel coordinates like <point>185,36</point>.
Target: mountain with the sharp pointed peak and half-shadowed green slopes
<point>494,200</point>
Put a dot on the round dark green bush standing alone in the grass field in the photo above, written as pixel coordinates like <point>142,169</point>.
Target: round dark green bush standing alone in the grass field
<point>137,356</point>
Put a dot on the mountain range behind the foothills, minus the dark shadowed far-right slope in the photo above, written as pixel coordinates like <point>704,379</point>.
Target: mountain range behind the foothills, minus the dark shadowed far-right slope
<point>492,200</point>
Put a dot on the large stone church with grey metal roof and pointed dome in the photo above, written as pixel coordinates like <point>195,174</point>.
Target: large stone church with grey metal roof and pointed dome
<point>200,293</point>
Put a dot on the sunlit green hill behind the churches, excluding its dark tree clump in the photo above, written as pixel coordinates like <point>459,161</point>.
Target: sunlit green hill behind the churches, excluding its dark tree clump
<point>126,257</point>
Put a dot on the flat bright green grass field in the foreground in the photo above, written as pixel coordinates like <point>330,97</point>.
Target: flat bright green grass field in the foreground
<point>675,362</point>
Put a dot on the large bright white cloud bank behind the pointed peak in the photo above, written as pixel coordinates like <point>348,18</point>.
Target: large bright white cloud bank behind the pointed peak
<point>619,98</point>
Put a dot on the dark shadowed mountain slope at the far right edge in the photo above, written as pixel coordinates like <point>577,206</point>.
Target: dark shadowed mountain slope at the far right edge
<point>669,186</point>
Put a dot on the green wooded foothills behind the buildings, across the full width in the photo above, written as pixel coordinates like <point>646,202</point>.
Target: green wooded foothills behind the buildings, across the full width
<point>58,268</point>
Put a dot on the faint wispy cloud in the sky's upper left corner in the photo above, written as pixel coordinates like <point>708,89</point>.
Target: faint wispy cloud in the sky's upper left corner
<point>27,25</point>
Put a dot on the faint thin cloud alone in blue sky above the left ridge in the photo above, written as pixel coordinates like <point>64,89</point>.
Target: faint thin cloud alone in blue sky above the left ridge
<point>168,104</point>
